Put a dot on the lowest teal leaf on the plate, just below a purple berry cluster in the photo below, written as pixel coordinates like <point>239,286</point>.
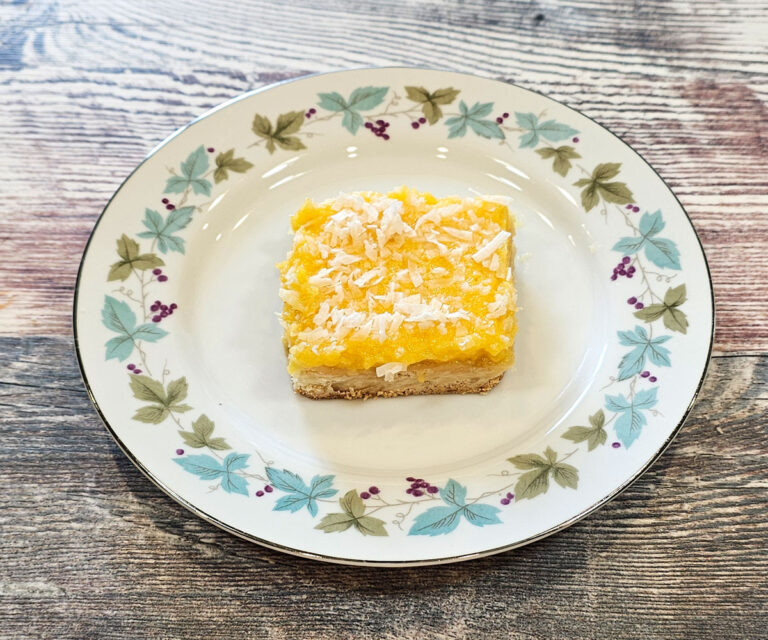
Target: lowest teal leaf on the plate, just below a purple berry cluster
<point>444,519</point>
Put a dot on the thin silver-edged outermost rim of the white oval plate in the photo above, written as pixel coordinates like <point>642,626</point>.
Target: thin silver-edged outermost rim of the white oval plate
<point>359,561</point>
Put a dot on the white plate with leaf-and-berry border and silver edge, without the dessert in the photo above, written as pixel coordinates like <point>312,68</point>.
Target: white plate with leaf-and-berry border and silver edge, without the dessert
<point>615,321</point>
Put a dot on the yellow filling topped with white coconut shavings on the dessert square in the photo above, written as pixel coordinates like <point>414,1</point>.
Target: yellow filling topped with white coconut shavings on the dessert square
<point>388,280</point>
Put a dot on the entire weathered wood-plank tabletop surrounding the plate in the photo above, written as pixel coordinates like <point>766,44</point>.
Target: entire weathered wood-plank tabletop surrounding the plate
<point>91,549</point>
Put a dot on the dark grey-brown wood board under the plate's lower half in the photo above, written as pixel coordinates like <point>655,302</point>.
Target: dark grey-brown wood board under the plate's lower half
<point>92,549</point>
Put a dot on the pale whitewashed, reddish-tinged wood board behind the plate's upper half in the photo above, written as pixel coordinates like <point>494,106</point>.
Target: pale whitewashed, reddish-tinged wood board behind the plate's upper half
<point>86,89</point>
